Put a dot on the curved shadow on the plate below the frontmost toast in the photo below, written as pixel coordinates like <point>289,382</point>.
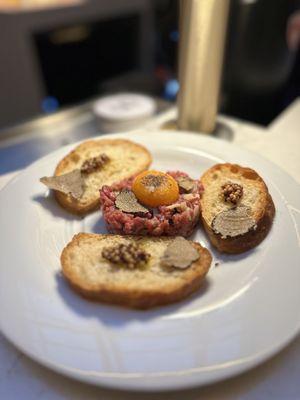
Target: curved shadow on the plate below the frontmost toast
<point>116,315</point>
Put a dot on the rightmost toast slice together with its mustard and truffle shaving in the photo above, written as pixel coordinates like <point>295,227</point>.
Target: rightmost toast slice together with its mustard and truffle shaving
<point>237,210</point>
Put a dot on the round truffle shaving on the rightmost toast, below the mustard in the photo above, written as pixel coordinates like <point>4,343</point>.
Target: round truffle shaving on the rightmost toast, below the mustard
<point>234,222</point>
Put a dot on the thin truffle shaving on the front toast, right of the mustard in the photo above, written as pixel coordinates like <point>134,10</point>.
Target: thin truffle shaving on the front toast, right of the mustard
<point>180,253</point>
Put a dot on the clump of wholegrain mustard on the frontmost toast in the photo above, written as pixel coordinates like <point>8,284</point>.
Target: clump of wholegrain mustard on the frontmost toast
<point>130,255</point>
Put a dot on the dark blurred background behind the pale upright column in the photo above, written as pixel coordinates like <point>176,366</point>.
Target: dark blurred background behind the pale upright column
<point>58,58</point>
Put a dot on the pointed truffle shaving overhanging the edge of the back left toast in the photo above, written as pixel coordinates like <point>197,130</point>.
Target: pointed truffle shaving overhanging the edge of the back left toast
<point>71,183</point>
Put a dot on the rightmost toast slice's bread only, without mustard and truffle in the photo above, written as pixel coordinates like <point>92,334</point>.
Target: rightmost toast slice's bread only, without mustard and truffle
<point>255,196</point>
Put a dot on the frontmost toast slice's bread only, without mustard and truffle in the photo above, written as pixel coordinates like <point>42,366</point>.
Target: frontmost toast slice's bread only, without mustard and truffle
<point>98,279</point>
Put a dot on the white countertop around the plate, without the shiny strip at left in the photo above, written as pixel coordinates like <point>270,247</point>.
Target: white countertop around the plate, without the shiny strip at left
<point>277,379</point>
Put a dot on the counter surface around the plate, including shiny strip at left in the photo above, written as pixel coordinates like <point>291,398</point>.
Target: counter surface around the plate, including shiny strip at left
<point>276,379</point>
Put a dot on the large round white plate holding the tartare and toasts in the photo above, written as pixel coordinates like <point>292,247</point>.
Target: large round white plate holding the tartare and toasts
<point>247,310</point>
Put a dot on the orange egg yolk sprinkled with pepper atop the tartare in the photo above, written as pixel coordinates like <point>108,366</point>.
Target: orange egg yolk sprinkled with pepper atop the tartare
<point>154,188</point>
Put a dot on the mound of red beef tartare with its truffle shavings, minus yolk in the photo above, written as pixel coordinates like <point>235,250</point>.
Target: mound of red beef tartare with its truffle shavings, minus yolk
<point>125,214</point>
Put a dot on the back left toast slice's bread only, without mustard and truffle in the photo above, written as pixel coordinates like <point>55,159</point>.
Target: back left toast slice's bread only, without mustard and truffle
<point>126,159</point>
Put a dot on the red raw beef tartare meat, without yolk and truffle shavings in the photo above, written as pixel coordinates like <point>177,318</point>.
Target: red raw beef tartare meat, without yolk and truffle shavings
<point>177,219</point>
